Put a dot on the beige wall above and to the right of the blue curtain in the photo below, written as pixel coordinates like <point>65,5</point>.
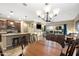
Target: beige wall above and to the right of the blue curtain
<point>70,25</point>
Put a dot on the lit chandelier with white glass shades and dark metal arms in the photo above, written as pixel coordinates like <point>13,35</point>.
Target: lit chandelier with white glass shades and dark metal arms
<point>47,14</point>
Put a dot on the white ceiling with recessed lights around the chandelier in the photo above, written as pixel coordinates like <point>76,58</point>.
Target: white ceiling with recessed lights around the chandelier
<point>68,11</point>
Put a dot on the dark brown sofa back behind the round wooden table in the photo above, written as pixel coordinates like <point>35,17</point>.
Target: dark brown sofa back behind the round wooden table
<point>57,38</point>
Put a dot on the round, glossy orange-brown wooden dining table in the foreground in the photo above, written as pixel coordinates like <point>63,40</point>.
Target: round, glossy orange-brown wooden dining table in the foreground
<point>43,48</point>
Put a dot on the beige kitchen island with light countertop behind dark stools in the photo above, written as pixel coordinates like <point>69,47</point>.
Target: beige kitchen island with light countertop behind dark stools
<point>7,39</point>
